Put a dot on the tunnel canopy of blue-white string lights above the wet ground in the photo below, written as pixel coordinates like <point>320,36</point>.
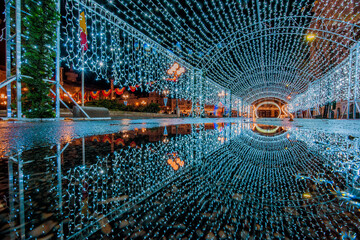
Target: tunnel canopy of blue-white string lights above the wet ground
<point>230,52</point>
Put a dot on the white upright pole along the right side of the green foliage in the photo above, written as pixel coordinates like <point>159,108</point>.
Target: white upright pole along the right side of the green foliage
<point>57,65</point>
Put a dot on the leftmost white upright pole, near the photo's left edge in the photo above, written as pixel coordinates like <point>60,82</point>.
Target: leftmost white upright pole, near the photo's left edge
<point>8,56</point>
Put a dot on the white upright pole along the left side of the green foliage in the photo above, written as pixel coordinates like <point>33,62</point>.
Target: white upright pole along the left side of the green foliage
<point>18,58</point>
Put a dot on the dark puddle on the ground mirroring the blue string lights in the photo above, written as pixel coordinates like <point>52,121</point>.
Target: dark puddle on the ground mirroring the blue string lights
<point>192,181</point>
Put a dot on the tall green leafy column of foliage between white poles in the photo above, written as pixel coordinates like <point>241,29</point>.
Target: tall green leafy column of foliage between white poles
<point>39,54</point>
